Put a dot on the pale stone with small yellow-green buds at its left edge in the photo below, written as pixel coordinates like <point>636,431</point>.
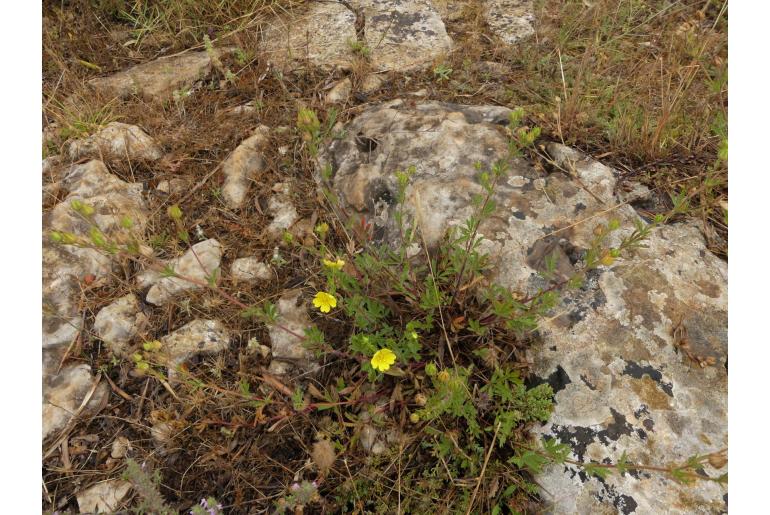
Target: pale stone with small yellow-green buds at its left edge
<point>199,337</point>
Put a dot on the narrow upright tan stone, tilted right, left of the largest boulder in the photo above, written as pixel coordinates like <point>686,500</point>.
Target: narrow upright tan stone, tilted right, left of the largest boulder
<point>244,165</point>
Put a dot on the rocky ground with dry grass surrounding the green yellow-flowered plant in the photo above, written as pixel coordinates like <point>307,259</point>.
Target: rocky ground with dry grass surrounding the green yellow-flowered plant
<point>145,109</point>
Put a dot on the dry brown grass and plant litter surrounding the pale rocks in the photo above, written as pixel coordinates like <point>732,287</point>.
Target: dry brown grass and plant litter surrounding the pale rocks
<point>639,84</point>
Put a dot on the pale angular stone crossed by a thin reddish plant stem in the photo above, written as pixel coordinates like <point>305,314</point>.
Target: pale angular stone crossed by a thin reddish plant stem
<point>198,263</point>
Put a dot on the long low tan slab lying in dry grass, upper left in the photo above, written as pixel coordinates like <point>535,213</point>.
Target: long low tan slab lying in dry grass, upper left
<point>158,79</point>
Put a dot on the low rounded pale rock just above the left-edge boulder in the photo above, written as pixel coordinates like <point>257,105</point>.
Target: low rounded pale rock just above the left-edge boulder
<point>117,141</point>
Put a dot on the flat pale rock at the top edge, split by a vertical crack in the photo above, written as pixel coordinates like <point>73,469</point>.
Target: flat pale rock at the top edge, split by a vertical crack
<point>399,35</point>
